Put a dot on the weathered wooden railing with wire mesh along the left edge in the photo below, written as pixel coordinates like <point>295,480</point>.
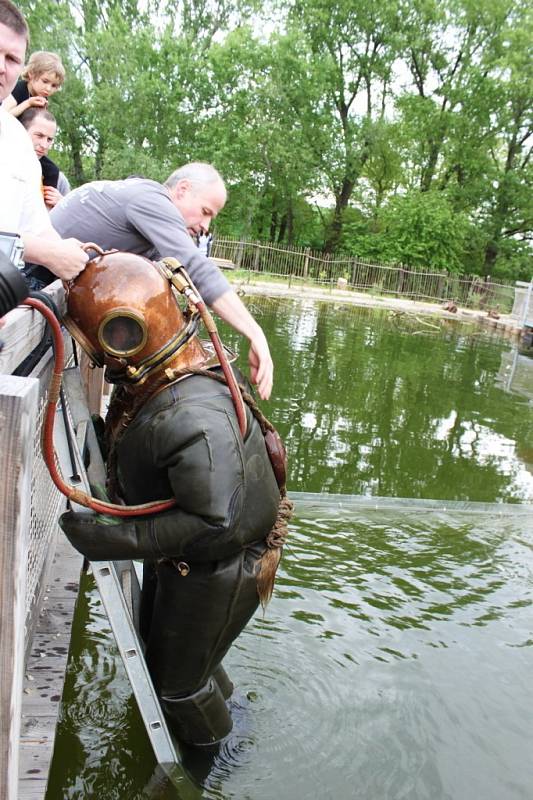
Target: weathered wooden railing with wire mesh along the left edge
<point>29,508</point>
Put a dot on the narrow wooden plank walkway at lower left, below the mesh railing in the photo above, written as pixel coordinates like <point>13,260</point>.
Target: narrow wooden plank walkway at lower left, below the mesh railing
<point>45,671</point>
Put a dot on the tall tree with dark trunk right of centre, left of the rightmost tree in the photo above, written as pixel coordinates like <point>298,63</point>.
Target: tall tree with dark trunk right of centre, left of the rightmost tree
<point>339,87</point>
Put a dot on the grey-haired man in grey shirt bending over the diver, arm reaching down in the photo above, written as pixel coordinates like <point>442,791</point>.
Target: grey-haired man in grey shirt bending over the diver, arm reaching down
<point>141,216</point>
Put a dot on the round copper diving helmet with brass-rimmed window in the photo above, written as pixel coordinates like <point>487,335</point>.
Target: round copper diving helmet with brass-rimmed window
<point>123,310</point>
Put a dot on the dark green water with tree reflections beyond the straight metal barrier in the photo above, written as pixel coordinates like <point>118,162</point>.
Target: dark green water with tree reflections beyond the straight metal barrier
<point>375,404</point>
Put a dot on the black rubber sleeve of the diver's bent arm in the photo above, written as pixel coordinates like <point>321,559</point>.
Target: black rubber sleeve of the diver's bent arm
<point>206,473</point>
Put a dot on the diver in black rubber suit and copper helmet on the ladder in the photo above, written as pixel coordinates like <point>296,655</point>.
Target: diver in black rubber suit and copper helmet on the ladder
<point>173,434</point>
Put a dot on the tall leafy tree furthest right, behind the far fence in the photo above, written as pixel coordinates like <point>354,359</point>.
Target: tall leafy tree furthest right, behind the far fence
<point>467,129</point>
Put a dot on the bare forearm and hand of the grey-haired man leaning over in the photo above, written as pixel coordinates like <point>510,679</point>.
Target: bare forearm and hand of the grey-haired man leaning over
<point>232,310</point>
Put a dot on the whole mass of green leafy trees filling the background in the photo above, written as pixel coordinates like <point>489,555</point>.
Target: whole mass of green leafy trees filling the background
<point>413,117</point>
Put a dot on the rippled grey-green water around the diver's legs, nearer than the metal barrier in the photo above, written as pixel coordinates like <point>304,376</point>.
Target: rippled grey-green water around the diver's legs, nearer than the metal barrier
<point>394,661</point>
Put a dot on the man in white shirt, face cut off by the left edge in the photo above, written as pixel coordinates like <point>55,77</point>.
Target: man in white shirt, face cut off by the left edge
<point>22,209</point>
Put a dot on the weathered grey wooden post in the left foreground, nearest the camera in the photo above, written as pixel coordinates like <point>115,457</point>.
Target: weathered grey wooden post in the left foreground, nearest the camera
<point>19,398</point>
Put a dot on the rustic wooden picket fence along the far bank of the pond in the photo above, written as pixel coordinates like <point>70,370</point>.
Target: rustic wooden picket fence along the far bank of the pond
<point>306,266</point>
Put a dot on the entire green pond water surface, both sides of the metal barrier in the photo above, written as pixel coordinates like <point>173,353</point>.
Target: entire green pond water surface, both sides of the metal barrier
<point>395,658</point>
